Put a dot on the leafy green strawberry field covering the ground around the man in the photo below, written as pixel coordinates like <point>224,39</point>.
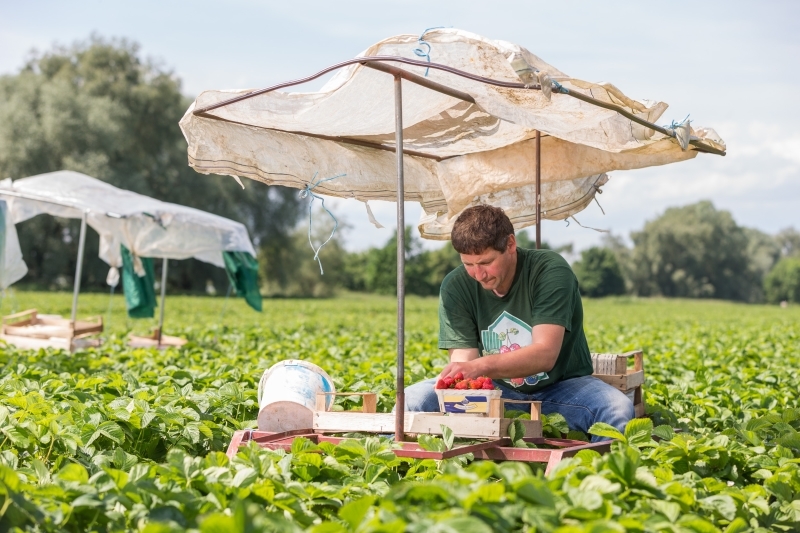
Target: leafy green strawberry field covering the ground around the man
<point>117,439</point>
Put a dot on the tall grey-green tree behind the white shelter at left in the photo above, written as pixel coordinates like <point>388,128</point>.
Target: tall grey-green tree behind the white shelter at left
<point>98,108</point>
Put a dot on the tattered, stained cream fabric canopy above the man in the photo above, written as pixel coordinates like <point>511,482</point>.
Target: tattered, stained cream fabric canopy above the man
<point>470,146</point>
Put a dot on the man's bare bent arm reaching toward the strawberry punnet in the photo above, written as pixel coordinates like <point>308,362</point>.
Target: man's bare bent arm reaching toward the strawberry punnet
<point>538,357</point>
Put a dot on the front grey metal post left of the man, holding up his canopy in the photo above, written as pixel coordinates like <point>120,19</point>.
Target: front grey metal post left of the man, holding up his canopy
<point>399,423</point>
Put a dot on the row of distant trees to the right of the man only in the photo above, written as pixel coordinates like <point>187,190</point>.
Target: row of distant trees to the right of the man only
<point>695,251</point>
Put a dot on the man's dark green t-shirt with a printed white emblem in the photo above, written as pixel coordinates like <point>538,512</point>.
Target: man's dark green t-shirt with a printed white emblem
<point>544,291</point>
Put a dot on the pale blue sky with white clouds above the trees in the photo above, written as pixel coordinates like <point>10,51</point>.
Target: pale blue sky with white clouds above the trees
<point>730,65</point>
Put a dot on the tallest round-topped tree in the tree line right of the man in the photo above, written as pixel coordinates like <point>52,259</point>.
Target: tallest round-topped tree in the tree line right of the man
<point>693,251</point>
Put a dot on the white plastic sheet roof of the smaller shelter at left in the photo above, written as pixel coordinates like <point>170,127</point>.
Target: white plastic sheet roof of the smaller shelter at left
<point>146,227</point>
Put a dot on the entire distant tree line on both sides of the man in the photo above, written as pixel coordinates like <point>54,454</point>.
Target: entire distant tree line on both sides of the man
<point>694,251</point>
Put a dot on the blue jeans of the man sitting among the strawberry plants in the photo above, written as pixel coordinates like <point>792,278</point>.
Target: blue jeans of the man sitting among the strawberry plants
<point>582,401</point>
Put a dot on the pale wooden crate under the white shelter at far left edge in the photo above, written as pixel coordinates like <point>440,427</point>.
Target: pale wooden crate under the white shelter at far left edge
<point>29,329</point>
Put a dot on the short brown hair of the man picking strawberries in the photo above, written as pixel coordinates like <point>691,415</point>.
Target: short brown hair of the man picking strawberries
<point>481,227</point>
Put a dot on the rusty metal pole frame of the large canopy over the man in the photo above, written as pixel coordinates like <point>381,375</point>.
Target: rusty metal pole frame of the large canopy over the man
<point>379,63</point>
